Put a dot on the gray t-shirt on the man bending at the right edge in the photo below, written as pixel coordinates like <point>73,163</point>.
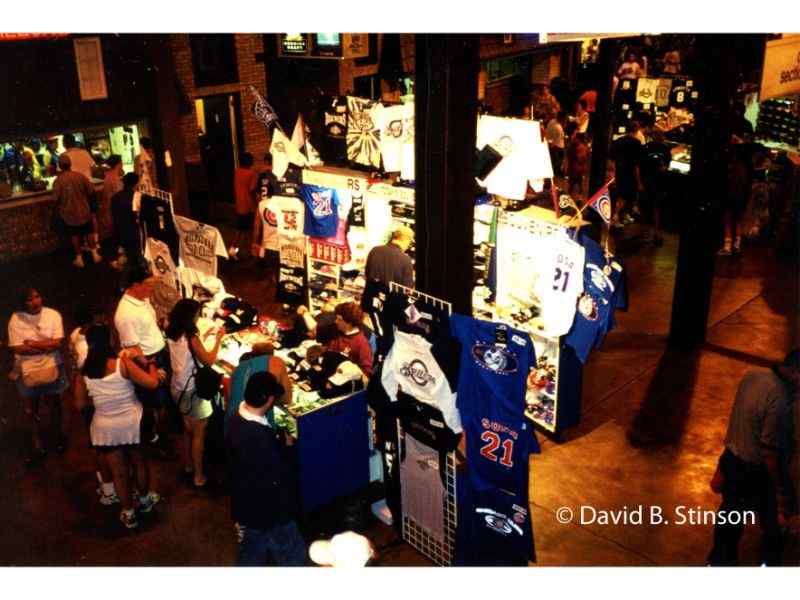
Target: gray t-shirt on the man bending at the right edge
<point>761,416</point>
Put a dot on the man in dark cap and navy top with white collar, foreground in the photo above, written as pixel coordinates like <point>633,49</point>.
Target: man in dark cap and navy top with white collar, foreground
<point>263,501</point>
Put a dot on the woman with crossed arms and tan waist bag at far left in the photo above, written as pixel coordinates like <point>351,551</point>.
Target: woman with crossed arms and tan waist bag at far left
<point>35,336</point>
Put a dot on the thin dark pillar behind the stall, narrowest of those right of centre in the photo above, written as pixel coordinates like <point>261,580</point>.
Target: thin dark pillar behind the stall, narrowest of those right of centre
<point>601,120</point>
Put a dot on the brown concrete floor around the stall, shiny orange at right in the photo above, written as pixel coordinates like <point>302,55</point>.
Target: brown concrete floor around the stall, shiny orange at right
<point>651,432</point>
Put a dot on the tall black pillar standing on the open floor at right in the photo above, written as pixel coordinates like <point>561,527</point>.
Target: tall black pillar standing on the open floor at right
<point>716,69</point>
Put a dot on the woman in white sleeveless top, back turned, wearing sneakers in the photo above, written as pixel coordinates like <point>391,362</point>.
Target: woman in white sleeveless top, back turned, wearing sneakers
<point>108,380</point>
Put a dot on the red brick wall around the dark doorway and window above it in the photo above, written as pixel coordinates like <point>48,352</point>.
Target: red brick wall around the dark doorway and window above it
<point>254,134</point>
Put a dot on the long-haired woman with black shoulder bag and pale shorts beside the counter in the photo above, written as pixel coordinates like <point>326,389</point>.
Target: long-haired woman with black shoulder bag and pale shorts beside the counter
<point>188,356</point>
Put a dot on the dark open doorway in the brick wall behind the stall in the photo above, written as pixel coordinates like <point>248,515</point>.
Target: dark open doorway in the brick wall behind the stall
<point>219,120</point>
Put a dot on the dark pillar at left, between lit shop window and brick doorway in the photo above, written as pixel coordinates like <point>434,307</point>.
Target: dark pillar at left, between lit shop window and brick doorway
<point>167,126</point>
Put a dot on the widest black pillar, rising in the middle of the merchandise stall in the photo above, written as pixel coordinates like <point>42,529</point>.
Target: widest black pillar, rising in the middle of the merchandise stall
<point>446,115</point>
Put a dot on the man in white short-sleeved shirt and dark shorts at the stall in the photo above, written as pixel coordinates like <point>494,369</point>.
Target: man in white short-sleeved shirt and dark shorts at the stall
<point>135,320</point>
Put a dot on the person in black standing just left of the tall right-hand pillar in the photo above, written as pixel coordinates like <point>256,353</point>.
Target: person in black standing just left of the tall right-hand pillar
<point>655,159</point>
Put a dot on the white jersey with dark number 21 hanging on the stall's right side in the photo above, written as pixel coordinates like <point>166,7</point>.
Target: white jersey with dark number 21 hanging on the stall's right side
<point>560,282</point>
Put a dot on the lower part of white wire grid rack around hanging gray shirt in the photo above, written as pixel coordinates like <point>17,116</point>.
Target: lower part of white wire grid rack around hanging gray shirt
<point>441,553</point>
